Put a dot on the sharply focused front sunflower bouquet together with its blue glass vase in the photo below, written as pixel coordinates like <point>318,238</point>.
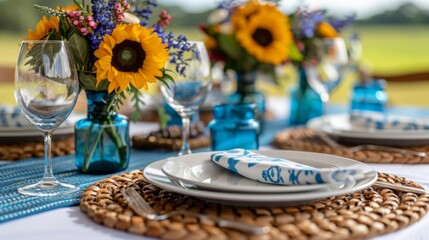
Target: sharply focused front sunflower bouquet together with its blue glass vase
<point>117,53</point>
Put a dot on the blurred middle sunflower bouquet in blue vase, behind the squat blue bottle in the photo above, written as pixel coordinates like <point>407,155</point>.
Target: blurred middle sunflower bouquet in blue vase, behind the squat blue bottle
<point>248,37</point>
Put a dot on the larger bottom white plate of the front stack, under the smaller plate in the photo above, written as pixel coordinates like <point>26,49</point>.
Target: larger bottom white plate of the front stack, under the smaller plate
<point>154,175</point>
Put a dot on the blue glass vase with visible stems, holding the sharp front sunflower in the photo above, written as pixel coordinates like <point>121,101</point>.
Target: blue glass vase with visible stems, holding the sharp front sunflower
<point>102,139</point>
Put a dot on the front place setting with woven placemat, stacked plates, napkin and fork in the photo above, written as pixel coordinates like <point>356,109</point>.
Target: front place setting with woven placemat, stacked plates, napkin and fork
<point>215,191</point>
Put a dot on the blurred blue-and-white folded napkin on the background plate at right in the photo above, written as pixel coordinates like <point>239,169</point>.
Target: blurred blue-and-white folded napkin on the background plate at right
<point>380,121</point>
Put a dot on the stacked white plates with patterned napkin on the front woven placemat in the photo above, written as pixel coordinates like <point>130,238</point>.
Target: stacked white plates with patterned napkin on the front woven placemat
<point>198,175</point>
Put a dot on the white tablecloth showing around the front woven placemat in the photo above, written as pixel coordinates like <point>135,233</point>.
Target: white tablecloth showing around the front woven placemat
<point>71,223</point>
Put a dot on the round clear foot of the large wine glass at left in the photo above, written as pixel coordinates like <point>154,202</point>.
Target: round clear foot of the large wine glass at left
<point>41,189</point>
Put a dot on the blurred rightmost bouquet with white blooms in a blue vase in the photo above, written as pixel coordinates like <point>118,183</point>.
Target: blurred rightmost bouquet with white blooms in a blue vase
<point>318,52</point>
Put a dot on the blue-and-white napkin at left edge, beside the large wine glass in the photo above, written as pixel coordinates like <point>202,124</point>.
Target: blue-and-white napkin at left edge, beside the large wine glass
<point>12,117</point>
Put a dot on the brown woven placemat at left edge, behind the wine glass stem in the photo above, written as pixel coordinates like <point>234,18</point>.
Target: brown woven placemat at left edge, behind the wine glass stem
<point>16,151</point>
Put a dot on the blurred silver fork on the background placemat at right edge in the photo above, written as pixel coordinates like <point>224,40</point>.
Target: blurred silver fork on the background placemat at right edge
<point>334,144</point>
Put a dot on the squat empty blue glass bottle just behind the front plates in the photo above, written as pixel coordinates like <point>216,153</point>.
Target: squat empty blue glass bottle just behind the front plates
<point>234,126</point>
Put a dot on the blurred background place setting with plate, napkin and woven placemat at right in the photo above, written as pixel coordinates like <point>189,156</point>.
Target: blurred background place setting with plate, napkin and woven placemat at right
<point>368,136</point>
